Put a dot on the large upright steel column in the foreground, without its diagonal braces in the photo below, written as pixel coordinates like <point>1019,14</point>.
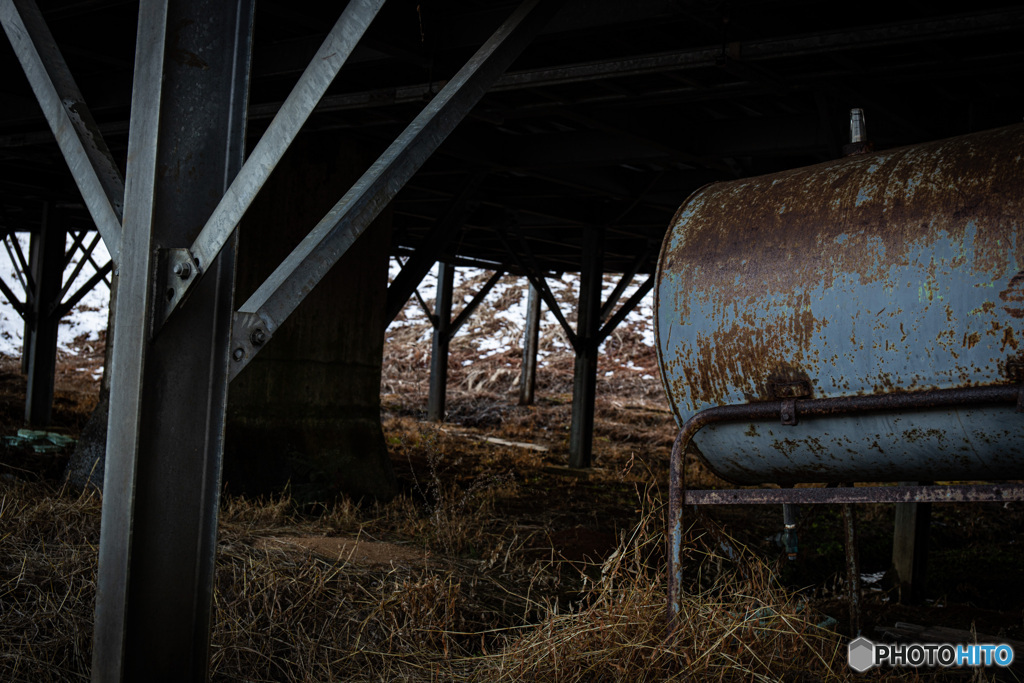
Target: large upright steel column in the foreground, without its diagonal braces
<point>165,441</point>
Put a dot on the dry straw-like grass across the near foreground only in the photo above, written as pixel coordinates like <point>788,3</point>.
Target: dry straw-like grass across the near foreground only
<point>288,615</point>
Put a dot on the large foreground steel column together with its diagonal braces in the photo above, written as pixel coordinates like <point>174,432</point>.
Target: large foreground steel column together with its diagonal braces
<point>162,483</point>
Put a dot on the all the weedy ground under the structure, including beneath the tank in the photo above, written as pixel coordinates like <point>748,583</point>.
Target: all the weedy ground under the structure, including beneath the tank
<point>497,563</point>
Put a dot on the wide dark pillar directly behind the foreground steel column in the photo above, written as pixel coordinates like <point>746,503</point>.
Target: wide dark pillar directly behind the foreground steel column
<point>306,413</point>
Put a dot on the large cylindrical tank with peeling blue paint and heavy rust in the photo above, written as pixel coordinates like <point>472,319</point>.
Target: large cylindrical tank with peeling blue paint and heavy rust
<point>890,273</point>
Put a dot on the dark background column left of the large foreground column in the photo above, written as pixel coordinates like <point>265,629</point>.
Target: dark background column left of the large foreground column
<point>47,254</point>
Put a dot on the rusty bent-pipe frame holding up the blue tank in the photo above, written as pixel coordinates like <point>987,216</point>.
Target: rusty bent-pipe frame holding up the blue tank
<point>787,411</point>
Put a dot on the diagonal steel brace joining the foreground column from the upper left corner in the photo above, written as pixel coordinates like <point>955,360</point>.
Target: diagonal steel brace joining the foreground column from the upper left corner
<point>81,144</point>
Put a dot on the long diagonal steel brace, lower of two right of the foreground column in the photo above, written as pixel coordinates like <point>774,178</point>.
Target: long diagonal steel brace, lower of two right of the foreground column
<point>303,270</point>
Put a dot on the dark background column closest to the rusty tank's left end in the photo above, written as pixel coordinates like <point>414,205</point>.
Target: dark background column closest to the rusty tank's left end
<point>588,329</point>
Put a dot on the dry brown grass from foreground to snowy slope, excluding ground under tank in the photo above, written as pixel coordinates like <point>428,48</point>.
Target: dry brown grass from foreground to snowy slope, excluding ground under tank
<point>493,597</point>
